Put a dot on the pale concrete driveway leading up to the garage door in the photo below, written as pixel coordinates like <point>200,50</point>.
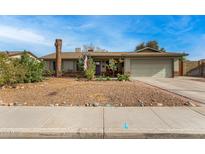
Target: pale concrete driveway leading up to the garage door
<point>191,87</point>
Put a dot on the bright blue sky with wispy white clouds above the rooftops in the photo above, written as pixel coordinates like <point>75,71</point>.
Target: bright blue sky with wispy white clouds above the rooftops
<point>113,33</point>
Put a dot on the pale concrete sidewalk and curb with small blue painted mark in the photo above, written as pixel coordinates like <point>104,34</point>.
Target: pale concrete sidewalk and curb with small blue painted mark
<point>102,122</point>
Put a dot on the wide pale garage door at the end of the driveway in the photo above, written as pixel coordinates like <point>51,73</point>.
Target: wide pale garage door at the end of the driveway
<point>151,68</point>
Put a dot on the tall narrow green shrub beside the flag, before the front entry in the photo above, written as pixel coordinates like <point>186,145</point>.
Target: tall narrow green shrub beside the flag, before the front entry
<point>90,71</point>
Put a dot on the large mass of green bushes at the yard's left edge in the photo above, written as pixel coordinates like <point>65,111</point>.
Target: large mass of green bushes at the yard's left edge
<point>25,69</point>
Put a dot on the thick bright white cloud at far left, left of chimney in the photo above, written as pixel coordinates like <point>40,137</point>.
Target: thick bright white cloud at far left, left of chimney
<point>23,35</point>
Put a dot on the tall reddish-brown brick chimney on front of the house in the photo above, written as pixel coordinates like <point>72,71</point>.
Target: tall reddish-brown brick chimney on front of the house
<point>58,45</point>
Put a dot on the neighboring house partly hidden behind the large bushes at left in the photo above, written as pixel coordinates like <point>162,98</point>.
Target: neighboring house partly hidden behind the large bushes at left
<point>18,54</point>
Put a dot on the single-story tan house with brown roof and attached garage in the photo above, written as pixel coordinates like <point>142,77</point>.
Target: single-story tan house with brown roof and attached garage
<point>147,62</point>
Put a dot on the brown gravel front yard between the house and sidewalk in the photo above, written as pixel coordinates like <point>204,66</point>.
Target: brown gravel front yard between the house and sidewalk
<point>70,92</point>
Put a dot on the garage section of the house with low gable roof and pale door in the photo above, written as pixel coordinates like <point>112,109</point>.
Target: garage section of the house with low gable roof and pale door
<point>149,62</point>
